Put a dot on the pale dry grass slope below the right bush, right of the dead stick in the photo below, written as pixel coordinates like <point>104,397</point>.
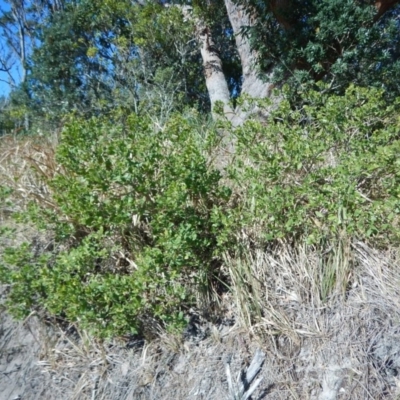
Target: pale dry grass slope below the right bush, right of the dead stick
<point>329,320</point>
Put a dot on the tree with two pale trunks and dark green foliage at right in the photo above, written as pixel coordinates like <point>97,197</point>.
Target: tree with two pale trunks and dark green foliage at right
<point>301,42</point>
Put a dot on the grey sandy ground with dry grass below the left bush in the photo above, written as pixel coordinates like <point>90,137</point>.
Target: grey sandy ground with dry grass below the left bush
<point>37,362</point>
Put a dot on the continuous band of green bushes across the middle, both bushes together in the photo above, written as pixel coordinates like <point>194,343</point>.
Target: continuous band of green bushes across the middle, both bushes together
<point>145,227</point>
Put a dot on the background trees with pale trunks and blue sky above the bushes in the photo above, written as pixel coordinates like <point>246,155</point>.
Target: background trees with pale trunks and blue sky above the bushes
<point>92,56</point>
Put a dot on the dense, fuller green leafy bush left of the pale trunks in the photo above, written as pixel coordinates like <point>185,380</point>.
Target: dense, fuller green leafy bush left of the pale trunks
<point>136,212</point>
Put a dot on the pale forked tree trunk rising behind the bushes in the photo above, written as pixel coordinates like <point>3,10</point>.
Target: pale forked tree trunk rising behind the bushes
<point>252,84</point>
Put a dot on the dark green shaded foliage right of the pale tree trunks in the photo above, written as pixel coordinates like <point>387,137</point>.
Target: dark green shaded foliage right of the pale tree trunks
<point>332,40</point>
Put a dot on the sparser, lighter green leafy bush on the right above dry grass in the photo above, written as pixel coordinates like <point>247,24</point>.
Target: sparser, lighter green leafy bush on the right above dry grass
<point>328,170</point>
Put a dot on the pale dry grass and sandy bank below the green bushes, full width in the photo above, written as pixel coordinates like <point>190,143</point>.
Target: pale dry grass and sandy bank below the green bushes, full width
<point>346,346</point>
